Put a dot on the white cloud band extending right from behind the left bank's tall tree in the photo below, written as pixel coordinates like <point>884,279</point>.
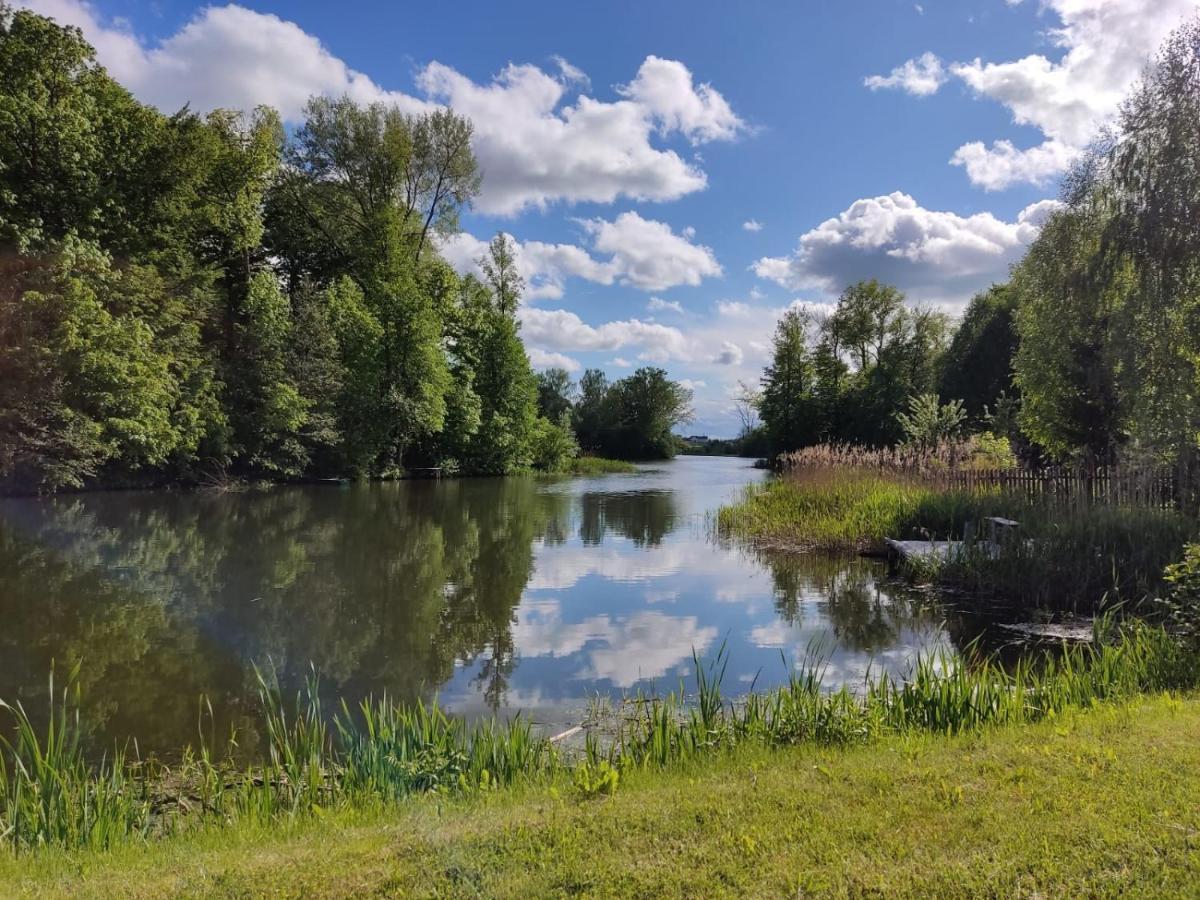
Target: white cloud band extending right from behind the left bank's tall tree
<point>640,253</point>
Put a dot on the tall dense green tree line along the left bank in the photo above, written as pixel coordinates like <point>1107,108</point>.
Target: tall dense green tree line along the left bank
<point>188,298</point>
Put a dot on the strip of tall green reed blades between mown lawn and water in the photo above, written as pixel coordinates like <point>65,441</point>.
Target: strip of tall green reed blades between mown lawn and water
<point>52,797</point>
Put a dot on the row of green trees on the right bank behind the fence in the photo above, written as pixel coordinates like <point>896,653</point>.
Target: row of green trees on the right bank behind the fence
<point>1090,353</point>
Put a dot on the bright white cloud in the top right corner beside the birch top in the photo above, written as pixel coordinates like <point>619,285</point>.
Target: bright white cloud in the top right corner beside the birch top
<point>1105,44</point>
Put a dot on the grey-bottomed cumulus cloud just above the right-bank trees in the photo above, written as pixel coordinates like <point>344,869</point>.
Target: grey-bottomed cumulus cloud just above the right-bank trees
<point>932,254</point>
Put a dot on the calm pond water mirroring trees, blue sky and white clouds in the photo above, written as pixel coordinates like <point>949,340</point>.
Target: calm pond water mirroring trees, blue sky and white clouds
<point>495,595</point>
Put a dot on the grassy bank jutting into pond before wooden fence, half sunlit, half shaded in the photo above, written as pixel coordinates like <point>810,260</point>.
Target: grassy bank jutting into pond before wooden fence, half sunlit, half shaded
<point>1069,557</point>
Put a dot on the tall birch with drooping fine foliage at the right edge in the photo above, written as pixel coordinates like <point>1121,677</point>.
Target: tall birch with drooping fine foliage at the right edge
<point>1111,291</point>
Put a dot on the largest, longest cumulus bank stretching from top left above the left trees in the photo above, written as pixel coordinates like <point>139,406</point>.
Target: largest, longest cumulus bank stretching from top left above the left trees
<point>537,140</point>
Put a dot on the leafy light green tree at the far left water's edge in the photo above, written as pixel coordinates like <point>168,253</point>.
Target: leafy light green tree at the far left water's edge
<point>86,382</point>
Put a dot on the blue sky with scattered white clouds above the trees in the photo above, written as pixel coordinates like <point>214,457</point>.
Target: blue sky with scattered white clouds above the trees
<point>679,173</point>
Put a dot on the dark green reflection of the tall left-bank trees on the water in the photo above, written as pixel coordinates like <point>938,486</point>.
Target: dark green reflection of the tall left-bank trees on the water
<point>170,597</point>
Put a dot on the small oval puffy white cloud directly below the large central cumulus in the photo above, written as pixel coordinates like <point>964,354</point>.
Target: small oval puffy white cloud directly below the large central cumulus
<point>649,255</point>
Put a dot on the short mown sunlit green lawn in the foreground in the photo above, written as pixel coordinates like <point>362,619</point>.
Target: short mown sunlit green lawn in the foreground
<point>1099,803</point>
